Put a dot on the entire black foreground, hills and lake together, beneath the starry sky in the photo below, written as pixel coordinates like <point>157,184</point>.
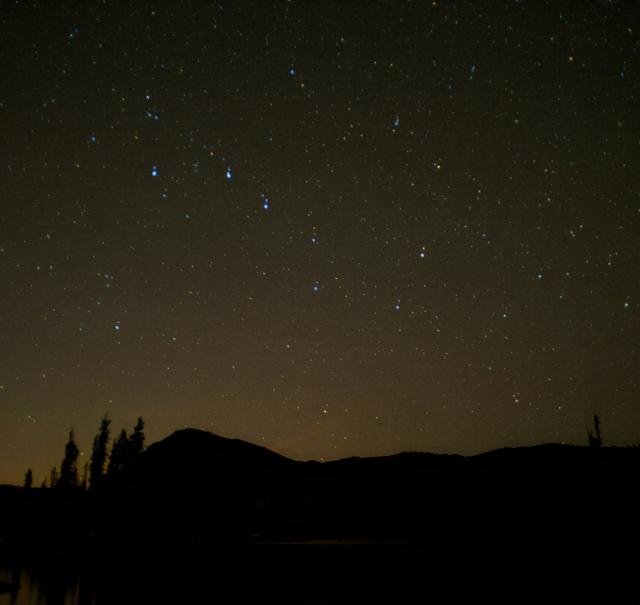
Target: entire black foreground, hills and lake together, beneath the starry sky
<point>199,516</point>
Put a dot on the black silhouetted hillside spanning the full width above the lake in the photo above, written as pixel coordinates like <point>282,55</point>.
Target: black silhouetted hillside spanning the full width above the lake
<point>195,490</point>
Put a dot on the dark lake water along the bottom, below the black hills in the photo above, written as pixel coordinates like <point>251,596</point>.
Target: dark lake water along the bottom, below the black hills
<point>329,573</point>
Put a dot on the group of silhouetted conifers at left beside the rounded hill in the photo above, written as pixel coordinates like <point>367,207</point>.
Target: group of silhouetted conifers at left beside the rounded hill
<point>124,450</point>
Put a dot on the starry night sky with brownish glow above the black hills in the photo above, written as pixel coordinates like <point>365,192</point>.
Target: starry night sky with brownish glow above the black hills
<point>330,227</point>
